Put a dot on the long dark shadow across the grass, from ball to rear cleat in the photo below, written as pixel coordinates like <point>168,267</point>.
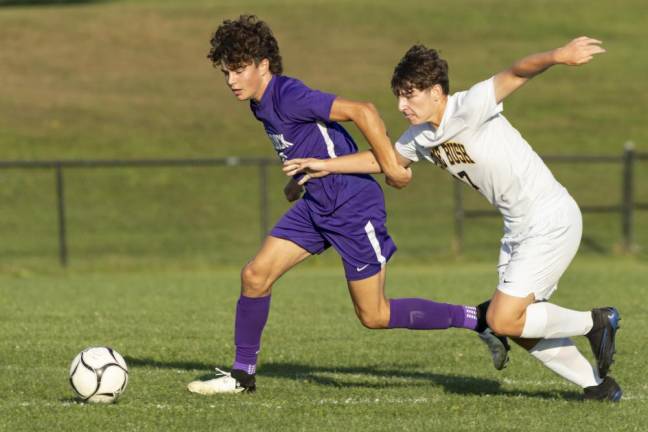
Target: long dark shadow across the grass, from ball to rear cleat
<point>372,376</point>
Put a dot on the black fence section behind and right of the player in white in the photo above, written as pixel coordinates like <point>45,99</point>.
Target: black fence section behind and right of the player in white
<point>626,207</point>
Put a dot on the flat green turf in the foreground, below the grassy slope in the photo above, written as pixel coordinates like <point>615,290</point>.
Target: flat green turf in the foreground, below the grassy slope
<point>320,369</point>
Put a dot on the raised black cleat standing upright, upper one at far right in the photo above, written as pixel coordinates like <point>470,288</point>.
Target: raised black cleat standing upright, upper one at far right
<point>601,337</point>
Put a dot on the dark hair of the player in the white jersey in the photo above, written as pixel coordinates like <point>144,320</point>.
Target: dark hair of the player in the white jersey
<point>420,68</point>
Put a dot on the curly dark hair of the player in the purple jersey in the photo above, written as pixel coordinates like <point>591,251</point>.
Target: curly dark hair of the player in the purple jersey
<point>247,40</point>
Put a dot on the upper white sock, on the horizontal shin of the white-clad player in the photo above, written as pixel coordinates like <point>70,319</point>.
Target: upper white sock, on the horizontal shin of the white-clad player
<point>548,321</point>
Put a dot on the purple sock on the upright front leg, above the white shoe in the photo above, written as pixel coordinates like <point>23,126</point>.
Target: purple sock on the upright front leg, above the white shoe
<point>251,316</point>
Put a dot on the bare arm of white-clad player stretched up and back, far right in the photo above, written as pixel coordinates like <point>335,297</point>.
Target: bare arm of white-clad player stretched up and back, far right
<point>577,52</point>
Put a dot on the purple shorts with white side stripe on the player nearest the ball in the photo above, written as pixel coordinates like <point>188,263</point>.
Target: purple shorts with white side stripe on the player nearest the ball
<point>356,230</point>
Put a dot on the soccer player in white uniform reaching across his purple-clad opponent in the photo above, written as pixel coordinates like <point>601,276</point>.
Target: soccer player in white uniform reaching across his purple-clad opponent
<point>466,134</point>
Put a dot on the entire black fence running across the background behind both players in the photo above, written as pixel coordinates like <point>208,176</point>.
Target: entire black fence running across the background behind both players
<point>625,208</point>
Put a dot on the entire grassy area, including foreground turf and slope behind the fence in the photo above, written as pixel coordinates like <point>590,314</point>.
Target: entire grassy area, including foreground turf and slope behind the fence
<point>155,253</point>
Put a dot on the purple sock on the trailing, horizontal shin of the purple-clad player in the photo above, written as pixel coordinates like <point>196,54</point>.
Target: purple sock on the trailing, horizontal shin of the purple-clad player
<point>421,314</point>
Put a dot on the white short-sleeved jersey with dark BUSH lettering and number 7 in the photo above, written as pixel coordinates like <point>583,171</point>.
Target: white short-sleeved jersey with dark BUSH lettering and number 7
<point>476,144</point>
